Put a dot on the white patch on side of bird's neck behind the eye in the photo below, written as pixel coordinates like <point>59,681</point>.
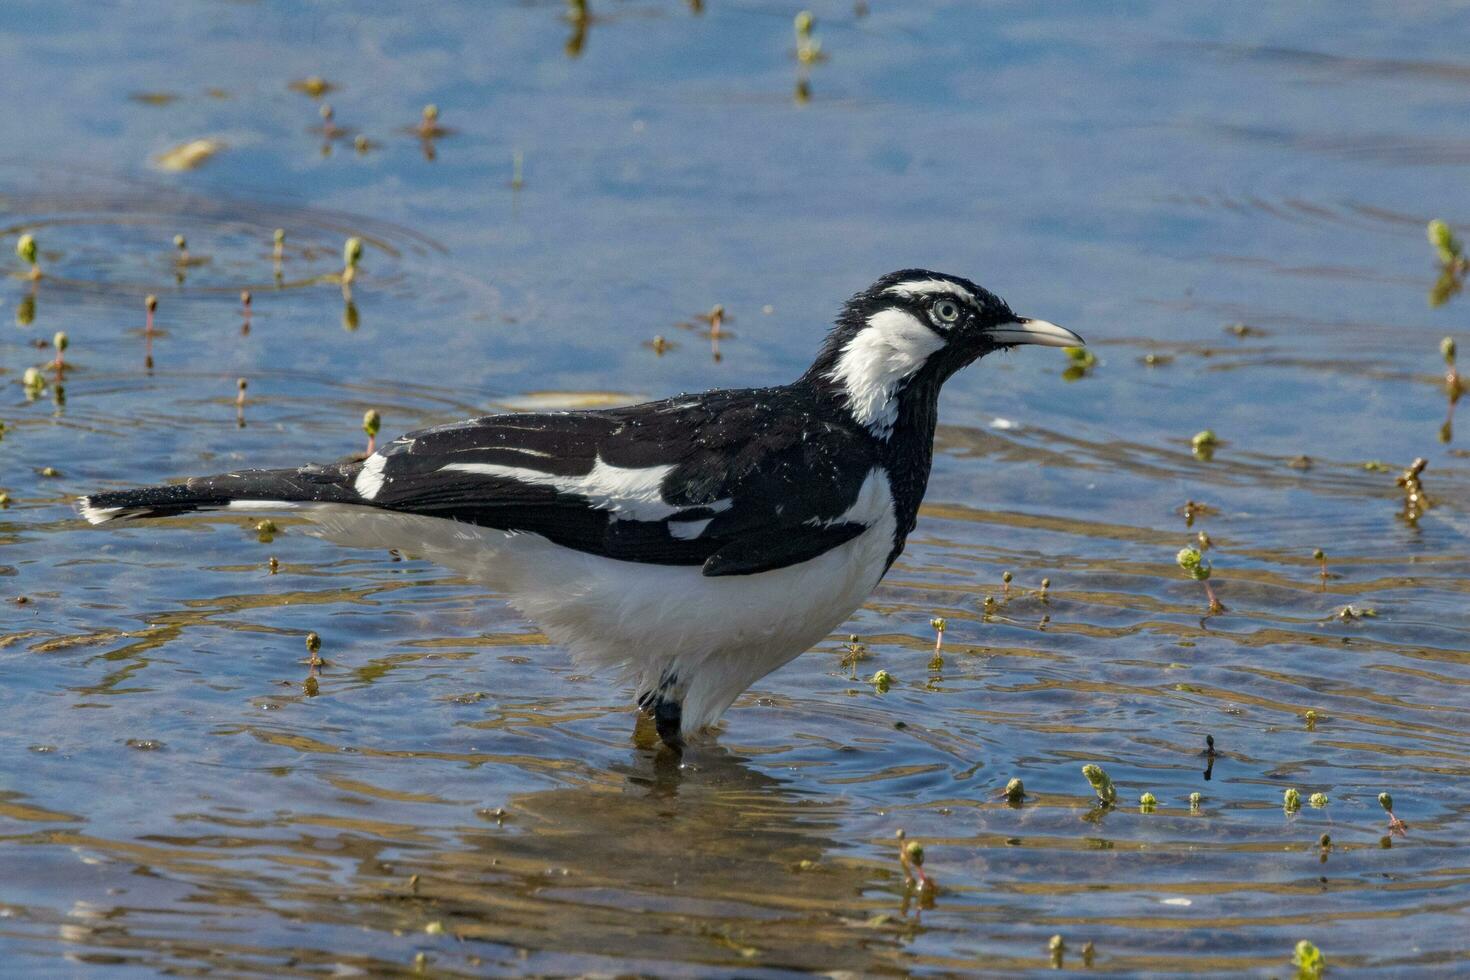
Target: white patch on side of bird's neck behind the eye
<point>875,365</point>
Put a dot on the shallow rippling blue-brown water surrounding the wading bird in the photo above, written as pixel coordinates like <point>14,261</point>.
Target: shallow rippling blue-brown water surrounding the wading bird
<point>179,793</point>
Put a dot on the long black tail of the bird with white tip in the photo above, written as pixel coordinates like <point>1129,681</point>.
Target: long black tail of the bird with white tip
<point>248,490</point>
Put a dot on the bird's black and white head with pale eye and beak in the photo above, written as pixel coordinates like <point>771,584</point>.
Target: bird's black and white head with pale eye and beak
<point>909,333</point>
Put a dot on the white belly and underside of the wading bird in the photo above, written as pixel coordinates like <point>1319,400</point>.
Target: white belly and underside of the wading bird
<point>717,635</point>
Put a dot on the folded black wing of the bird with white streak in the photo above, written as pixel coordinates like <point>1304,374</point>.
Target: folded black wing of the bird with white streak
<point>736,483</point>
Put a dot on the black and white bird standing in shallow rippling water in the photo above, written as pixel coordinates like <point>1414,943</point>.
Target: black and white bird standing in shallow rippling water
<point>695,544</point>
